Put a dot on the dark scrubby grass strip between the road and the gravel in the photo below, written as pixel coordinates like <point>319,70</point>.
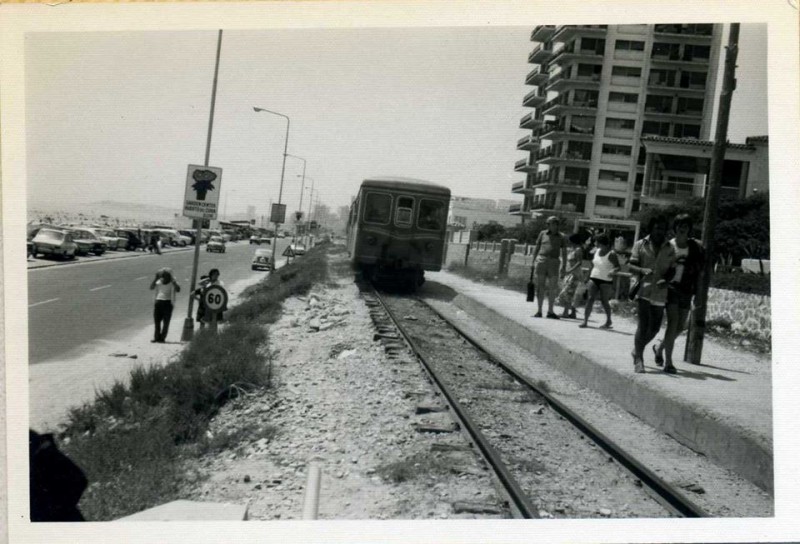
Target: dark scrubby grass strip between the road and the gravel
<point>133,439</point>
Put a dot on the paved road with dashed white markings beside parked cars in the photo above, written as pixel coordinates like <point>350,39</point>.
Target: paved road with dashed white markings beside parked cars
<point>72,305</point>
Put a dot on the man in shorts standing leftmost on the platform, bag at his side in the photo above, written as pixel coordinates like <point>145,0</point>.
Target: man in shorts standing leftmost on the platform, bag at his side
<point>551,248</point>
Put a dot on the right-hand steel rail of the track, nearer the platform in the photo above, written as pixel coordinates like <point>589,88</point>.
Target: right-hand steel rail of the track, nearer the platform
<point>667,495</point>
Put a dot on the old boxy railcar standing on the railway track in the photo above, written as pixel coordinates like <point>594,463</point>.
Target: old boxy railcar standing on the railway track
<point>396,229</point>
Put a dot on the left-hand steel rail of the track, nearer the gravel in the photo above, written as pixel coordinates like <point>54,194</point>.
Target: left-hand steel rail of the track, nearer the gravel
<point>519,499</point>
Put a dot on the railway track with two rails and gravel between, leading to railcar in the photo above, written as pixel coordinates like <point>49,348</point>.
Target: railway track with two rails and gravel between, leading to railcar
<point>548,461</point>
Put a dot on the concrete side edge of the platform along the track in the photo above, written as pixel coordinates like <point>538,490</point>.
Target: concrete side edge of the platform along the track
<point>696,427</point>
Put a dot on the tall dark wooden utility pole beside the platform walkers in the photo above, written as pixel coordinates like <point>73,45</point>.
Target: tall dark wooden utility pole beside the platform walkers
<point>698,328</point>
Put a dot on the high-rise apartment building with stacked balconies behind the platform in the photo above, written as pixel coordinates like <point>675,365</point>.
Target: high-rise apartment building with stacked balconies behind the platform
<point>598,90</point>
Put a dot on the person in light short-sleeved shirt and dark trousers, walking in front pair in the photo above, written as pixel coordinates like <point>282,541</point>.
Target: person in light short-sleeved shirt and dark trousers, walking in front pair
<point>651,259</point>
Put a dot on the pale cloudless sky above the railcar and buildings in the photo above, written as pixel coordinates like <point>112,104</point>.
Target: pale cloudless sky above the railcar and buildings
<point>119,115</point>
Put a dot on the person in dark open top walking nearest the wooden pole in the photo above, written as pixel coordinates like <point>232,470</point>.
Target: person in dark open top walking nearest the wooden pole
<point>683,284</point>
